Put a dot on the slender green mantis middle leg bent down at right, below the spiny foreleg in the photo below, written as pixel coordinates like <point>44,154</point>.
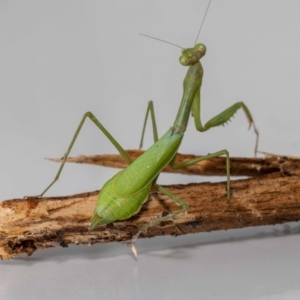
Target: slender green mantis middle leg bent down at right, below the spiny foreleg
<point>209,156</point>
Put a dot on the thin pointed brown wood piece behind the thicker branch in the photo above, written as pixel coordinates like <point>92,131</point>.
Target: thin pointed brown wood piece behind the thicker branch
<point>239,166</point>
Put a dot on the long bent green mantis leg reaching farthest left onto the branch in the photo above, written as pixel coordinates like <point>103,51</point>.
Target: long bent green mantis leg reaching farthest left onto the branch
<point>106,133</point>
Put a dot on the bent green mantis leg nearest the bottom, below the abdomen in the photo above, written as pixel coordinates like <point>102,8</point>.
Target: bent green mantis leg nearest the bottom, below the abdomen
<point>184,208</point>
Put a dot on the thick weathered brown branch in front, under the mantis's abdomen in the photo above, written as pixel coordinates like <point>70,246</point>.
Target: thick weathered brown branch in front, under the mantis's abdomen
<point>27,225</point>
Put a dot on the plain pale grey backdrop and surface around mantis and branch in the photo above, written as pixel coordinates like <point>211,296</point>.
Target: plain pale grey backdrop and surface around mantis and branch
<point>59,59</point>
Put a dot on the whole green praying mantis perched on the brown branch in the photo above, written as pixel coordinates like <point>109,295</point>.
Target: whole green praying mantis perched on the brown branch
<point>123,195</point>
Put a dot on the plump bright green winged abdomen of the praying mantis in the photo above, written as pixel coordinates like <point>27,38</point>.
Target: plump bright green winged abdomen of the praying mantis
<point>123,195</point>
